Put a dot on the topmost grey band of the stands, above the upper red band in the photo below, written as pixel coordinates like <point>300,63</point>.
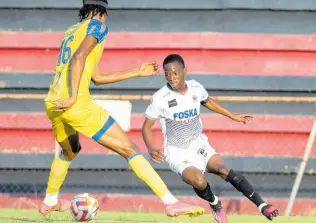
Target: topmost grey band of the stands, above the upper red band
<point>176,16</point>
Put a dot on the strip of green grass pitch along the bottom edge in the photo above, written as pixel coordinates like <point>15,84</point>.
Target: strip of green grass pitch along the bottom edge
<point>23,216</point>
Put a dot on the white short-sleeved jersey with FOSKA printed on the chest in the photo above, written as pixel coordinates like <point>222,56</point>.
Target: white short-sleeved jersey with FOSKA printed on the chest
<point>179,114</point>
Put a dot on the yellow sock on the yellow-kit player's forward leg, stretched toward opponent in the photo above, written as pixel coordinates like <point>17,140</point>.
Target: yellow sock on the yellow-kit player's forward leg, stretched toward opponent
<point>145,172</point>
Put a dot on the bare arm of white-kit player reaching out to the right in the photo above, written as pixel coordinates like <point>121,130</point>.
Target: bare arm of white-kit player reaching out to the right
<point>212,105</point>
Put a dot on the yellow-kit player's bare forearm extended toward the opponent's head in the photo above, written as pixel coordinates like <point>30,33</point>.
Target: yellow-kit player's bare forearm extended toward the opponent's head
<point>146,69</point>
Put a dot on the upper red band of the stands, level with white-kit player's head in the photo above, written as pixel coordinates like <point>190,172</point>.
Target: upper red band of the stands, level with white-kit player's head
<point>204,53</point>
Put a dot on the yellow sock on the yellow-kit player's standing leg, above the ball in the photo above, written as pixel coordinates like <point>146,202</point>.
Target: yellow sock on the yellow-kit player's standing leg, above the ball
<point>57,175</point>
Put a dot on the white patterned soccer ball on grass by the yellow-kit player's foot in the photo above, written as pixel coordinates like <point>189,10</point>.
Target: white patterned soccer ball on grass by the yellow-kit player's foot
<point>84,207</point>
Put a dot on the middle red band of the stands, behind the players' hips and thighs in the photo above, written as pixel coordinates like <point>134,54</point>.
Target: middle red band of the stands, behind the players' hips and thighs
<point>266,135</point>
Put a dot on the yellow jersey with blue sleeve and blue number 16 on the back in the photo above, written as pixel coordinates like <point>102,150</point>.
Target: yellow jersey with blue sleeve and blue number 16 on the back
<point>60,87</point>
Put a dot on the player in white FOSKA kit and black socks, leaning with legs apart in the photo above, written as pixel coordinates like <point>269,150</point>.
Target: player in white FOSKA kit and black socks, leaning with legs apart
<point>177,106</point>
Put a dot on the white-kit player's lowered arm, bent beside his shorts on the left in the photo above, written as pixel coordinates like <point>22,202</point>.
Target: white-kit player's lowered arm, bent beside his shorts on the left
<point>155,154</point>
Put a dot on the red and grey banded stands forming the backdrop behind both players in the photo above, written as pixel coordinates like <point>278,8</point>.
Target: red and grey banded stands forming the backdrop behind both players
<point>254,56</point>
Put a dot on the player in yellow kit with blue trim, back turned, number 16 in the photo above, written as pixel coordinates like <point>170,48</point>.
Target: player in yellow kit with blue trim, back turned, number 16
<point>71,109</point>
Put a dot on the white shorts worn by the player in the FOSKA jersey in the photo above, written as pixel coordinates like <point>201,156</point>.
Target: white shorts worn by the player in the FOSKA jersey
<point>197,155</point>
